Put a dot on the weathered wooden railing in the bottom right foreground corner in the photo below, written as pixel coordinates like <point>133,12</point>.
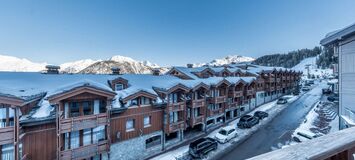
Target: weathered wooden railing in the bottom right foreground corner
<point>337,145</point>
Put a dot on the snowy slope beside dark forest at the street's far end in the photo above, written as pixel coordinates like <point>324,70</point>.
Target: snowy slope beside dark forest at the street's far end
<point>313,70</point>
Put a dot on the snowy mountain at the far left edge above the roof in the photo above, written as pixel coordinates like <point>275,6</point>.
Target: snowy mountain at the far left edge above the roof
<point>9,63</point>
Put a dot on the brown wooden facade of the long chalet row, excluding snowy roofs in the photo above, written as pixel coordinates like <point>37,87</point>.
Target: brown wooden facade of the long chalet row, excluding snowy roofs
<point>76,114</point>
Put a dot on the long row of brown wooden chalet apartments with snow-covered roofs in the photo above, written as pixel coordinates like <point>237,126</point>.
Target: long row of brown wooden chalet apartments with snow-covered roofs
<point>63,116</point>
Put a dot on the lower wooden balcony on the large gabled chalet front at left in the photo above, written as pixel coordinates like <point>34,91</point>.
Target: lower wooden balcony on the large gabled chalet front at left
<point>85,151</point>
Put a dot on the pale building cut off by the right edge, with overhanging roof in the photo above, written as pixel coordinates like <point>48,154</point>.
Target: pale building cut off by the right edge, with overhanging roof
<point>342,42</point>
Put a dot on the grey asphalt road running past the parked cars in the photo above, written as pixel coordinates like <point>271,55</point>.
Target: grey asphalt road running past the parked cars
<point>279,130</point>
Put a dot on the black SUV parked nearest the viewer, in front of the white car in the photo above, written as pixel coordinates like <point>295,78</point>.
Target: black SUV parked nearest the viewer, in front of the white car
<point>202,146</point>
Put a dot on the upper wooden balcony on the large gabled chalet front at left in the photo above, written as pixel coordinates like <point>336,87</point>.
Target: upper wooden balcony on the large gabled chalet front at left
<point>83,122</point>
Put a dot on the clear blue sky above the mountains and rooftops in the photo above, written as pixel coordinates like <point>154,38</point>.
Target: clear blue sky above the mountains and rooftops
<point>167,32</point>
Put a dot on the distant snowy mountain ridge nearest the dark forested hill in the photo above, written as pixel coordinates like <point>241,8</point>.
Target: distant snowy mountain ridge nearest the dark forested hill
<point>226,60</point>
